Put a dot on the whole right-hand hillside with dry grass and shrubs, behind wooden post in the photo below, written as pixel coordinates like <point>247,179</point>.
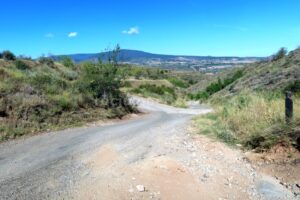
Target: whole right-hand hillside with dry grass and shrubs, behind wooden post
<point>249,104</point>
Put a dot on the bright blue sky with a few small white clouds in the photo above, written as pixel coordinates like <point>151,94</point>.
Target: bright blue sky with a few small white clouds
<point>185,27</point>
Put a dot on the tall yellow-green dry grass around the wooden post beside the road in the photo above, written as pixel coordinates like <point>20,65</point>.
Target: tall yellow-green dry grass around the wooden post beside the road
<point>254,119</point>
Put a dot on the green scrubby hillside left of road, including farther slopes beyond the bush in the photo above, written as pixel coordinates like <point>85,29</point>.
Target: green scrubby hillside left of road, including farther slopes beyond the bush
<point>42,95</point>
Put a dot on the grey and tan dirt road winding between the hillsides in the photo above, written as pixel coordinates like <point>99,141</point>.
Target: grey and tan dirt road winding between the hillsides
<point>148,157</point>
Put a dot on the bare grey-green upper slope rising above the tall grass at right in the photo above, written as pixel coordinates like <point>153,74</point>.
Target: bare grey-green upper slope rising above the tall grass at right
<point>265,75</point>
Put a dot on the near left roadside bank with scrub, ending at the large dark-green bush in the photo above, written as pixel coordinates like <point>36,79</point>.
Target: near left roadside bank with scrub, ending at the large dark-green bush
<point>39,95</point>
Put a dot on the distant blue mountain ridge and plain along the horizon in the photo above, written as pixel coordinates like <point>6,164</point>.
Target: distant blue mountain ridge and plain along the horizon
<point>196,63</point>
